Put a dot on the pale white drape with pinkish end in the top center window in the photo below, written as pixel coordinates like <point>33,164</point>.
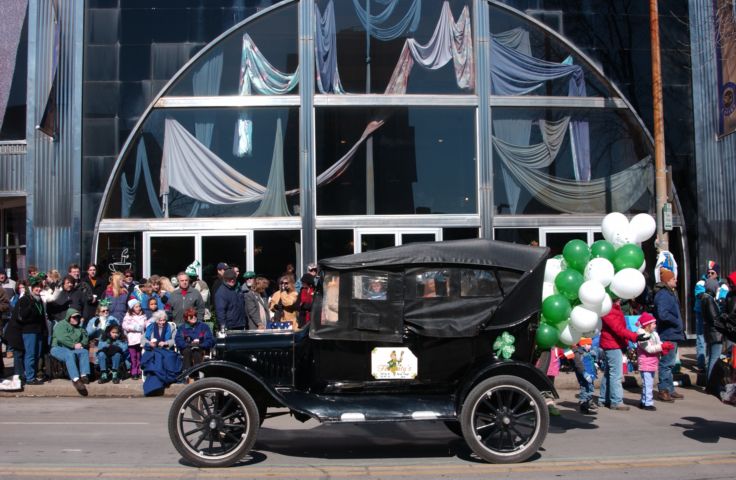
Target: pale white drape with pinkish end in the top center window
<point>450,41</point>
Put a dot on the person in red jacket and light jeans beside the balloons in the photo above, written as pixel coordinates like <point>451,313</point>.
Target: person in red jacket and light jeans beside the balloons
<point>614,339</point>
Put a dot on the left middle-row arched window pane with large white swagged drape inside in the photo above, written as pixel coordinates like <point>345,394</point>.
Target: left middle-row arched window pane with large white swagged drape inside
<point>206,132</point>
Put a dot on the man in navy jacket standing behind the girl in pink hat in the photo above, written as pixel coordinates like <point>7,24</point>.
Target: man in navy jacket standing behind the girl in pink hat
<point>670,329</point>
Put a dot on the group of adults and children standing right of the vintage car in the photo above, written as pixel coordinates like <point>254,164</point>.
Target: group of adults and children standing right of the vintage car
<point>653,346</point>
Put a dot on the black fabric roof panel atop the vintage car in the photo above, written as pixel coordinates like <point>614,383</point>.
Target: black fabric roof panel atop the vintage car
<point>478,252</point>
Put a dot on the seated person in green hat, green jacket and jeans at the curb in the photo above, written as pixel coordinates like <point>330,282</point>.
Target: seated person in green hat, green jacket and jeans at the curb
<point>69,345</point>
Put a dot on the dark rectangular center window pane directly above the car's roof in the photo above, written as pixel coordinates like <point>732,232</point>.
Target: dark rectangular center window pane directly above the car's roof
<point>423,161</point>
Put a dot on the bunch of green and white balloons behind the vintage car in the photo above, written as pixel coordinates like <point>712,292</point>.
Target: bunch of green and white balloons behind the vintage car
<point>579,284</point>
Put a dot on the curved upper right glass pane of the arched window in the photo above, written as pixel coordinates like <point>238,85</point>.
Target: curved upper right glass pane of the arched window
<point>542,46</point>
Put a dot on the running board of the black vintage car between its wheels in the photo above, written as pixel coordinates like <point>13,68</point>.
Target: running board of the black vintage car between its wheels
<point>372,408</point>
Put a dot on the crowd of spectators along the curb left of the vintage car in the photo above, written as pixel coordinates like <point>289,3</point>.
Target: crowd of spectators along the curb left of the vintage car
<point>93,324</point>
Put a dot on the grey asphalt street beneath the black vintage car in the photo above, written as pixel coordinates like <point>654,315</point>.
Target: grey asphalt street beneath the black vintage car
<point>127,438</point>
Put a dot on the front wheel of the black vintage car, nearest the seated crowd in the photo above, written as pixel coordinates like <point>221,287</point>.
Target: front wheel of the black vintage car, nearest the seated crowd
<point>210,412</point>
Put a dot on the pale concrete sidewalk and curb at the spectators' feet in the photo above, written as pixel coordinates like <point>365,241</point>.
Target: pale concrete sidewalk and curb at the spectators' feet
<point>134,388</point>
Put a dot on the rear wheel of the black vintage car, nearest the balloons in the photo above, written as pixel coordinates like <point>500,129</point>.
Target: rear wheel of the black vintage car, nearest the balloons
<point>504,419</point>
